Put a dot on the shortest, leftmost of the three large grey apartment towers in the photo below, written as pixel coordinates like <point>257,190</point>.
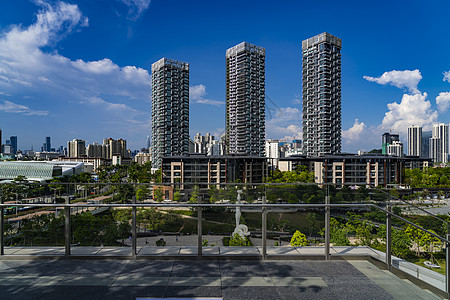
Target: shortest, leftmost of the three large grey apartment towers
<point>170,109</point>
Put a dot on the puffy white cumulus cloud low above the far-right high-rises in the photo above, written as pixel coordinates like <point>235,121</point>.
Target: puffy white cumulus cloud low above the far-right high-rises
<point>412,110</point>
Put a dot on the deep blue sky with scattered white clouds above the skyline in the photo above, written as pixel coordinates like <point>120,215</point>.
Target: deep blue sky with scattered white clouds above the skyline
<point>79,69</point>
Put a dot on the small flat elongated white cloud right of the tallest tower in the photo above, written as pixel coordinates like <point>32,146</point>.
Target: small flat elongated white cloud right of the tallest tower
<point>401,79</point>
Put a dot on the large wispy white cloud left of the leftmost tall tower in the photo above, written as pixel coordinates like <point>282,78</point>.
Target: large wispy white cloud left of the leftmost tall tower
<point>25,67</point>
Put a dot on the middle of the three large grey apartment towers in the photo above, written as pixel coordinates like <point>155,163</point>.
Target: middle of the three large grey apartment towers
<point>245,100</point>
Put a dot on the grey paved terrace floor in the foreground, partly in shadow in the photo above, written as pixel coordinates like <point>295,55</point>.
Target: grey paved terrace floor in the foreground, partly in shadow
<point>215,277</point>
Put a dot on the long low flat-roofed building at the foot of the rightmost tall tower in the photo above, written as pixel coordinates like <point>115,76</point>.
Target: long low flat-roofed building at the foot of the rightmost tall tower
<point>350,169</point>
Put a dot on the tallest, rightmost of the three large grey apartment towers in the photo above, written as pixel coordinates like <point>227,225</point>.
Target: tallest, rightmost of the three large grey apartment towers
<point>321,95</point>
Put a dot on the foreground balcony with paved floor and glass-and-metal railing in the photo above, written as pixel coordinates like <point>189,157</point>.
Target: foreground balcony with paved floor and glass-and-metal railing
<point>194,260</point>
